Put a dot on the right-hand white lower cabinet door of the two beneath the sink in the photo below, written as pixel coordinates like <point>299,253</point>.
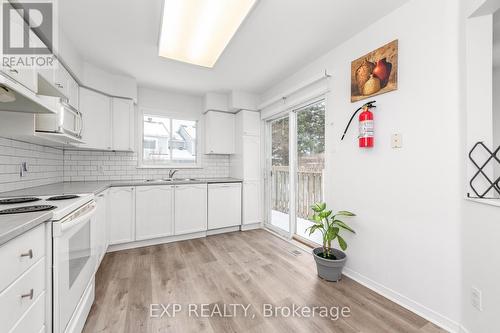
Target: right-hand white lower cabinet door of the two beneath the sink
<point>190,208</point>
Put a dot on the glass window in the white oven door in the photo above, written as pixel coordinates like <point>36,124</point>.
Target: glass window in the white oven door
<point>79,252</point>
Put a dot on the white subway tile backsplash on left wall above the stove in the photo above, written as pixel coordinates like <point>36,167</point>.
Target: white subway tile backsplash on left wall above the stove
<point>45,165</point>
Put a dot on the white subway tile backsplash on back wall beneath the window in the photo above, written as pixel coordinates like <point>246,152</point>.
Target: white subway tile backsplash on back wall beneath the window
<point>96,165</point>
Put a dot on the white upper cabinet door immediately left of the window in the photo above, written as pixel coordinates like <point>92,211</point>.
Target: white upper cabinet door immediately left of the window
<point>123,124</point>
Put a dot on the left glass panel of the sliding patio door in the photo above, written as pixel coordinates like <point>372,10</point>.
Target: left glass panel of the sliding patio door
<point>280,177</point>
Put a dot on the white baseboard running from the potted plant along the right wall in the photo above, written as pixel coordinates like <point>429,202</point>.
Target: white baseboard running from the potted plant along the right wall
<point>415,307</point>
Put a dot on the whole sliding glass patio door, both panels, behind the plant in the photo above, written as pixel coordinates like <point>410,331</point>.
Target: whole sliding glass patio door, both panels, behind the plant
<point>296,146</point>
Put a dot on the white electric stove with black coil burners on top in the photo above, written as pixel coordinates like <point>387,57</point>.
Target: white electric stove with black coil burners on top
<point>74,255</point>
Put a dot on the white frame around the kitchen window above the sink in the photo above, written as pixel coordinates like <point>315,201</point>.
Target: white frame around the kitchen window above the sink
<point>141,164</point>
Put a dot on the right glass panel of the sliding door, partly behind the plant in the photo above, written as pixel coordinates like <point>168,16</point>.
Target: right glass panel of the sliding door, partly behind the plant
<point>310,164</point>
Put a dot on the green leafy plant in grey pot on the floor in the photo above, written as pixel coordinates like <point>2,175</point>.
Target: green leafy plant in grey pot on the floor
<point>329,261</point>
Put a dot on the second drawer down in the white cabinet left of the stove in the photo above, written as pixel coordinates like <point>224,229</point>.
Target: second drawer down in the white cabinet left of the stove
<point>21,295</point>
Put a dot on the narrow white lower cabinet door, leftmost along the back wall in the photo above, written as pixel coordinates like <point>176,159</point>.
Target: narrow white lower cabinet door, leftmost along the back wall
<point>121,215</point>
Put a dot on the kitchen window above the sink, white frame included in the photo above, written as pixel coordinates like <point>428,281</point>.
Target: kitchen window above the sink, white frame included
<point>168,142</point>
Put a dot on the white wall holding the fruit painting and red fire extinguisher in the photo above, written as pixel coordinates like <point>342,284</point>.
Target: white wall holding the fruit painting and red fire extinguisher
<point>407,200</point>
